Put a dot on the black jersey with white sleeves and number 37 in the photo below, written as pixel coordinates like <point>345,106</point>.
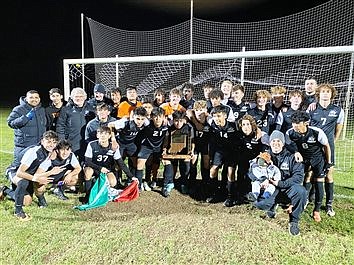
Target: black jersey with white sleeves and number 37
<point>101,156</point>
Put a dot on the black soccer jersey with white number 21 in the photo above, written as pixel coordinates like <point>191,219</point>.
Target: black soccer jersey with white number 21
<point>153,136</point>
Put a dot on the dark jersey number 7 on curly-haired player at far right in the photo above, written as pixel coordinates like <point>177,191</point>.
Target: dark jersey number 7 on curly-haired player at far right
<point>327,119</point>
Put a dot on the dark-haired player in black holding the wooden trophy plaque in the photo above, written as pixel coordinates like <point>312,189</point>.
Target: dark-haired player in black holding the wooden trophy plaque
<point>180,127</point>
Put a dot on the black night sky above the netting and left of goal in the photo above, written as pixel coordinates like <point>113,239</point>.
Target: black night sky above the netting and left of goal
<point>37,35</point>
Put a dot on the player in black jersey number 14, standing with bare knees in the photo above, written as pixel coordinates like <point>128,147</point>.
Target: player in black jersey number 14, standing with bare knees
<point>222,145</point>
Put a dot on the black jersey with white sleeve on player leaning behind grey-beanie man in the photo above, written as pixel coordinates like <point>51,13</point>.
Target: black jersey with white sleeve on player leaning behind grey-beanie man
<point>309,145</point>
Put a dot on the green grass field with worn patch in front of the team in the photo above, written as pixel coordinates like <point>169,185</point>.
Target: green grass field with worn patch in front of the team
<point>177,230</point>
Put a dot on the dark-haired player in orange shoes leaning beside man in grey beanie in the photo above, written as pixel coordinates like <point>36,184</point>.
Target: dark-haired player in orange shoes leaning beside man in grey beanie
<point>310,146</point>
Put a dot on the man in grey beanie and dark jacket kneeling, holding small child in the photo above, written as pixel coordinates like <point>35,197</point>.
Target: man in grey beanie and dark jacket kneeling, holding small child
<point>289,189</point>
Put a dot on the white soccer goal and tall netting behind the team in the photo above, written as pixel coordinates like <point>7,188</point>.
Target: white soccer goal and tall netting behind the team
<point>286,51</point>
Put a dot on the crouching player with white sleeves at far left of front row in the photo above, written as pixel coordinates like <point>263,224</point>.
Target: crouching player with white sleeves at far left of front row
<point>27,180</point>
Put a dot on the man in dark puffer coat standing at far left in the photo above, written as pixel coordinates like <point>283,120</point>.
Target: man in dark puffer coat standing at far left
<point>28,121</point>
